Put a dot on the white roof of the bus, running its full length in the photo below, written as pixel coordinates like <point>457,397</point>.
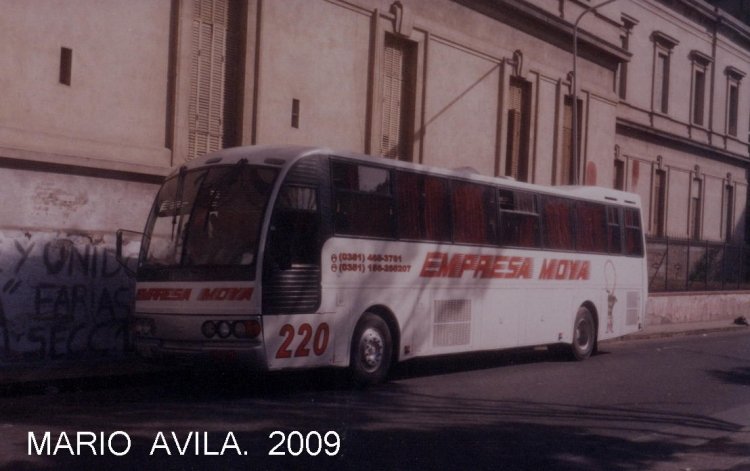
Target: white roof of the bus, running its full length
<point>286,156</point>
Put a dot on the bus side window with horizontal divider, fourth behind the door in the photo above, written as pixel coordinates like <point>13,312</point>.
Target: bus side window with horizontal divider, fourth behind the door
<point>519,219</point>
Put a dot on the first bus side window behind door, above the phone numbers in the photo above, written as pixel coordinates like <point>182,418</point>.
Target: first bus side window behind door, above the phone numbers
<point>362,200</point>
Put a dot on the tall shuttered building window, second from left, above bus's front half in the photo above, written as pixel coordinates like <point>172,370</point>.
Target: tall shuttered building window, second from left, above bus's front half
<point>399,92</point>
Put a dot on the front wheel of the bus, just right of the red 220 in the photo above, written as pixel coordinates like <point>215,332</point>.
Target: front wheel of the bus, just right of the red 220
<point>371,351</point>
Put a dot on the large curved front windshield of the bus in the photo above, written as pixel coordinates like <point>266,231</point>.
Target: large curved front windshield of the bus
<point>208,218</point>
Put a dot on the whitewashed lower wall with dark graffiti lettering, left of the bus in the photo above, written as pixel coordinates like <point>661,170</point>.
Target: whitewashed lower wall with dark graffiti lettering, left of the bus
<point>61,296</point>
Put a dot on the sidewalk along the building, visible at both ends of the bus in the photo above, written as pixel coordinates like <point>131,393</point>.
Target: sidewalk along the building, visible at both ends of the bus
<point>128,365</point>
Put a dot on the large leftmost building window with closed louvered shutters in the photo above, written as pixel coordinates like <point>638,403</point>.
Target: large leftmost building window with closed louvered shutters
<point>215,76</point>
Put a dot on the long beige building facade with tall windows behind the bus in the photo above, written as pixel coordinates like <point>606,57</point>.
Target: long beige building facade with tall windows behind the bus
<point>102,98</point>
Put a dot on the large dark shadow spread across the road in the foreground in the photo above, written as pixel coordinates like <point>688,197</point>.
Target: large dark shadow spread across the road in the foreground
<point>388,427</point>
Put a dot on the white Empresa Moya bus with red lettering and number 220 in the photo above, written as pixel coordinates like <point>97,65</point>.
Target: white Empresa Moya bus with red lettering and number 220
<point>290,257</point>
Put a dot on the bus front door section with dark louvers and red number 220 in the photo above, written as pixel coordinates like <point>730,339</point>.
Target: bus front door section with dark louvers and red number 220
<point>296,334</point>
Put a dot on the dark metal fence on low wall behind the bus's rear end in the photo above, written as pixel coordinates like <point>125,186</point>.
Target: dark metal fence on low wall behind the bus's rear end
<point>688,265</point>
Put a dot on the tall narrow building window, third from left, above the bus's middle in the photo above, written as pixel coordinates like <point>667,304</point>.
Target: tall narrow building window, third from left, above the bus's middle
<point>519,115</point>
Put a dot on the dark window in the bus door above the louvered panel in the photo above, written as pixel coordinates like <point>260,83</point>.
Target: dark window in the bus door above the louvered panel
<point>294,236</point>
